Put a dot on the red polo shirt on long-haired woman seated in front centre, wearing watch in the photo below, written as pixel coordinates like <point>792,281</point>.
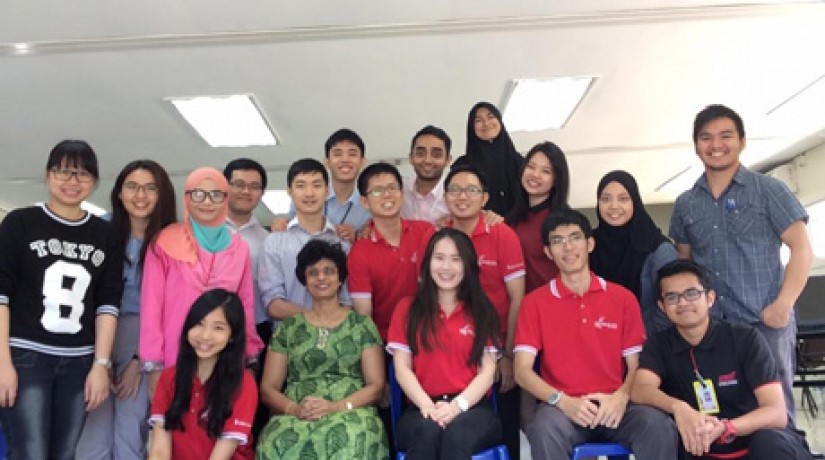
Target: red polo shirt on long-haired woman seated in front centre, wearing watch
<point>443,370</point>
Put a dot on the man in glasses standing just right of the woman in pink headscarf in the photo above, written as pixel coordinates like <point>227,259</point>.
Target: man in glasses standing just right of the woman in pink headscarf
<point>247,182</point>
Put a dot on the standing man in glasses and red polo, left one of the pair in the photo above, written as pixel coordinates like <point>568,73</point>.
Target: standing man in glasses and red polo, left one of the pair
<point>383,267</point>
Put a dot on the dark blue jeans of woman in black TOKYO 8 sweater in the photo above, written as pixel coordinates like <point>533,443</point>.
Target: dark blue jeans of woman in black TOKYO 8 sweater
<point>48,415</point>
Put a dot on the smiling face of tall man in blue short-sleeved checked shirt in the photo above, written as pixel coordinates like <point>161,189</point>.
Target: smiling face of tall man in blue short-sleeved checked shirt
<point>719,144</point>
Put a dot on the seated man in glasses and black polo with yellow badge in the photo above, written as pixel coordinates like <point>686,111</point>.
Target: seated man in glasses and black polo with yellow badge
<point>718,380</point>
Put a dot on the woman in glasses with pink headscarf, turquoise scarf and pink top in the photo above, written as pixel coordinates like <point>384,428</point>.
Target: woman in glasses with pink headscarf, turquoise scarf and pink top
<point>188,259</point>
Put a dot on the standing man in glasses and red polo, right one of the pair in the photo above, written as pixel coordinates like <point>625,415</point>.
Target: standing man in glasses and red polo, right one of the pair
<point>501,269</point>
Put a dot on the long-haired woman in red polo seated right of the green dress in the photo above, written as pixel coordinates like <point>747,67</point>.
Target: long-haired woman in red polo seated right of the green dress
<point>444,346</point>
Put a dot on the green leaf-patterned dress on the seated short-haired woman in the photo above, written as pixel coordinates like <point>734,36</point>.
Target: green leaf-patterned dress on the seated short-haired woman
<point>332,372</point>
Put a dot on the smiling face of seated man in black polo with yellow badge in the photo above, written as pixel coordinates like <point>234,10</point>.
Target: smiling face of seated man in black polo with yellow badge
<point>686,314</point>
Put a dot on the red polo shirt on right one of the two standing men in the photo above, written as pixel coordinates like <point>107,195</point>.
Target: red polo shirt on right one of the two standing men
<point>499,260</point>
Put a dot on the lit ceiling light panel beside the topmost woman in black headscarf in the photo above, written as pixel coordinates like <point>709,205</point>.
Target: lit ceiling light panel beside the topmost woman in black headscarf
<point>535,105</point>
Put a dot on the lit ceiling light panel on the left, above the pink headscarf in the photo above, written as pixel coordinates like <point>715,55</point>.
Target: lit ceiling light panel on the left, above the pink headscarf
<point>226,121</point>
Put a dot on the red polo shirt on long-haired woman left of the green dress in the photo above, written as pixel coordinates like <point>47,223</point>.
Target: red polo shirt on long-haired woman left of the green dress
<point>194,443</point>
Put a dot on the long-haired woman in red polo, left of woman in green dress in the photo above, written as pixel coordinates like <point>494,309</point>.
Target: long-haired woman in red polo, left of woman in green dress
<point>203,406</point>
